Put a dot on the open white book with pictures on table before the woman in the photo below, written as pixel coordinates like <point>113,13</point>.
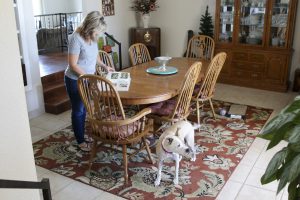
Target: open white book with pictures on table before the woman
<point>121,80</point>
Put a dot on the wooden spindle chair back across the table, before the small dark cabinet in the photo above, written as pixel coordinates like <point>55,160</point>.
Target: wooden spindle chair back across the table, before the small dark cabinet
<point>138,54</point>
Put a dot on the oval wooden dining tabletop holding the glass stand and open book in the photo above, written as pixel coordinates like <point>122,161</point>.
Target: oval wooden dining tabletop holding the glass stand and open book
<point>146,88</point>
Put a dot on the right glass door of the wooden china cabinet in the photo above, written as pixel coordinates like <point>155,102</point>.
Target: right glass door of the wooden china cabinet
<point>279,20</point>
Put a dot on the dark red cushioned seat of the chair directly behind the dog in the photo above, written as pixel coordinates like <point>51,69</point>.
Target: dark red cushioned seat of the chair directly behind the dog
<point>164,108</point>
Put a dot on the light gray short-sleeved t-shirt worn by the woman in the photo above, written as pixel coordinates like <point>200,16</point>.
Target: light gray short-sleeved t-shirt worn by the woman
<point>87,55</point>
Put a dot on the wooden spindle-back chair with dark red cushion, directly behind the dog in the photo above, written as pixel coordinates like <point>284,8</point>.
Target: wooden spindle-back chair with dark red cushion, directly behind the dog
<point>177,108</point>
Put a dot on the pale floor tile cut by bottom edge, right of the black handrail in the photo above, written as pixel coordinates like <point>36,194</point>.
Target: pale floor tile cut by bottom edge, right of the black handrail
<point>78,191</point>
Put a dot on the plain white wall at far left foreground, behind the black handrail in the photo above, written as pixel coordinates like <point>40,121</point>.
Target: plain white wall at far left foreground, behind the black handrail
<point>16,153</point>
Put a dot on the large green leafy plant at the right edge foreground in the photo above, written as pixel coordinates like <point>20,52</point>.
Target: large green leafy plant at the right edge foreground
<point>285,164</point>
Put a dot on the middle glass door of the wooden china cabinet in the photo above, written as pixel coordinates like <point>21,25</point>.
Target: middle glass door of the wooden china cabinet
<point>251,22</point>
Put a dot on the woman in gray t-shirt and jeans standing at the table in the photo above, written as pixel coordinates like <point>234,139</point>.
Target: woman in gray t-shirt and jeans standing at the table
<point>82,58</point>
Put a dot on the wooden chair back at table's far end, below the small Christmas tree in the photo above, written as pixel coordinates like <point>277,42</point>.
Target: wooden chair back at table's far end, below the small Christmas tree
<point>201,46</point>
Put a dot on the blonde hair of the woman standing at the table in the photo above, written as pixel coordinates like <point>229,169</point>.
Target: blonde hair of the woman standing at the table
<point>93,21</point>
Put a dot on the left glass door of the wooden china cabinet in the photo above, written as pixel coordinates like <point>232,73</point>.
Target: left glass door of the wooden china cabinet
<point>226,21</point>
